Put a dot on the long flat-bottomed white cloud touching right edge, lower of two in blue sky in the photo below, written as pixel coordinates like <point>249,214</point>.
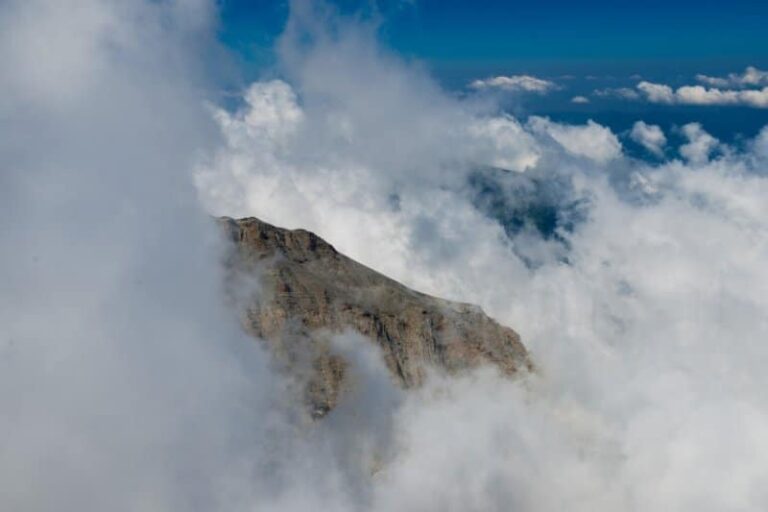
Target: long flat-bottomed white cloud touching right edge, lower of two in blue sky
<point>700,95</point>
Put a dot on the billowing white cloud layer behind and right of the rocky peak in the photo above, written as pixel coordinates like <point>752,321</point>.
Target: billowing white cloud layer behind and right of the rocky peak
<point>645,315</point>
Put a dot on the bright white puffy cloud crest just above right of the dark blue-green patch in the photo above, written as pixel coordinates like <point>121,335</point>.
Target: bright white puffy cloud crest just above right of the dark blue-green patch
<point>592,140</point>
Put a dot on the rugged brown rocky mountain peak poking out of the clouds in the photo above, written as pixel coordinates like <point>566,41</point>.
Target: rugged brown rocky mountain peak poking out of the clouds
<point>309,291</point>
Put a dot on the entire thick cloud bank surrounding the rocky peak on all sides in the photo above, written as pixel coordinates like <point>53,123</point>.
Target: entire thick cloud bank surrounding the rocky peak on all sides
<point>125,383</point>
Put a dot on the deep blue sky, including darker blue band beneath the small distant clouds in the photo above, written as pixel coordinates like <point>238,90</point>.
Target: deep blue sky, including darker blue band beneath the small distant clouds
<point>600,44</point>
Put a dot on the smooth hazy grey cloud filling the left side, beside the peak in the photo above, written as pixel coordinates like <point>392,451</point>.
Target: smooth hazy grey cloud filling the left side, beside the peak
<point>125,381</point>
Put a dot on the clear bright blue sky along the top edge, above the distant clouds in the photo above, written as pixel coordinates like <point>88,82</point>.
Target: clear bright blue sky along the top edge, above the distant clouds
<point>459,36</point>
